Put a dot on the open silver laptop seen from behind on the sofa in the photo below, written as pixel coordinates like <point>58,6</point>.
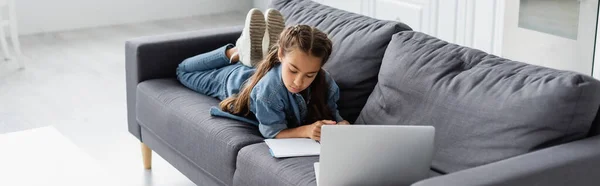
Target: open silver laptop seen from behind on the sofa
<point>374,154</point>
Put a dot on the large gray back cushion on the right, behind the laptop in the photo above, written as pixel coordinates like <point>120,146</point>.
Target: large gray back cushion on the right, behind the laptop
<point>484,108</point>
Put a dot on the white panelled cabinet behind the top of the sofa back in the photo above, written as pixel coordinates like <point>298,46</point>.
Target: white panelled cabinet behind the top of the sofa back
<point>472,23</point>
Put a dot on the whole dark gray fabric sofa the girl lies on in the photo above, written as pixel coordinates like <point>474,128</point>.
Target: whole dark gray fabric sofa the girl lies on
<point>498,122</point>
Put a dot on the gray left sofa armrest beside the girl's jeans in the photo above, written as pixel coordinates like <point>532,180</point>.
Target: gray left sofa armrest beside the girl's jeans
<point>155,57</point>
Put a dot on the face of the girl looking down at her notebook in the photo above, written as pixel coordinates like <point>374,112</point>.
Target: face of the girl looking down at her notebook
<point>298,70</point>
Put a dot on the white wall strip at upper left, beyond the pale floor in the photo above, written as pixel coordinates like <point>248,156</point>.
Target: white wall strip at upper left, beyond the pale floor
<point>35,16</point>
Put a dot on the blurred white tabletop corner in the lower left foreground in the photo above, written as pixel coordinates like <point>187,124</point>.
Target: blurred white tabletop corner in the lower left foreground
<point>55,165</point>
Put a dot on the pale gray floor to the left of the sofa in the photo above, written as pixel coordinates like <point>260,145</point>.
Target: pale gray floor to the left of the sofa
<point>74,81</point>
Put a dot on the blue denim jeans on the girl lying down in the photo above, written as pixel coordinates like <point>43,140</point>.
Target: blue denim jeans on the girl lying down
<point>212,74</point>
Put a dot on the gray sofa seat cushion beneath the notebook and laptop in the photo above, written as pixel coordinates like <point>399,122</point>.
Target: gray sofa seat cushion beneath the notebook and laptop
<point>256,167</point>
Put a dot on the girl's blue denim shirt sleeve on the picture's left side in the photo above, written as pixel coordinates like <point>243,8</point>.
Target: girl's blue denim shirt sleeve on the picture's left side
<point>269,112</point>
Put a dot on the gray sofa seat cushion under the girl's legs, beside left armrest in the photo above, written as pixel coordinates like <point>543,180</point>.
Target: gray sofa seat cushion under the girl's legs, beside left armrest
<point>180,117</point>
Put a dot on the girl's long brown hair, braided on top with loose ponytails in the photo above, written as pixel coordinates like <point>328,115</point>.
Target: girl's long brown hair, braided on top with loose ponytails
<point>300,37</point>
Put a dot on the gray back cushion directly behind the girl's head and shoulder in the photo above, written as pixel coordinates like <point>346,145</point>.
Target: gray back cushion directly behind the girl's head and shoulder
<point>358,46</point>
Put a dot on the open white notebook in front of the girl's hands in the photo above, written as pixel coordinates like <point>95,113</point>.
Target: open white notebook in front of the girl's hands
<point>293,147</point>
